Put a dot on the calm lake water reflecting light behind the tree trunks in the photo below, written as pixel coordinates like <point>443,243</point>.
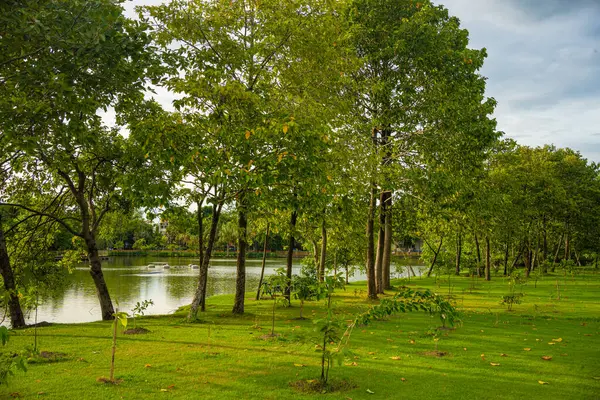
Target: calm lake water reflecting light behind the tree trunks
<point>130,280</point>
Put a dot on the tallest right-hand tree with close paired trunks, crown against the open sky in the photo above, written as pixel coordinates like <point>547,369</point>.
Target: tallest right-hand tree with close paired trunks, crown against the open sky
<point>421,99</point>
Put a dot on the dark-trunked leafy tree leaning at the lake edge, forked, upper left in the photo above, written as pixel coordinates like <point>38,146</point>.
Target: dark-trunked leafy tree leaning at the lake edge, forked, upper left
<point>64,62</point>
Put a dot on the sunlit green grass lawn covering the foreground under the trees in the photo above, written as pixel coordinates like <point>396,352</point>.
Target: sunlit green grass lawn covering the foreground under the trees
<point>177,360</point>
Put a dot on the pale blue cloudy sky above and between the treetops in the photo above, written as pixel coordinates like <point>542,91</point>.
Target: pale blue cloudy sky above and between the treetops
<point>543,67</point>
